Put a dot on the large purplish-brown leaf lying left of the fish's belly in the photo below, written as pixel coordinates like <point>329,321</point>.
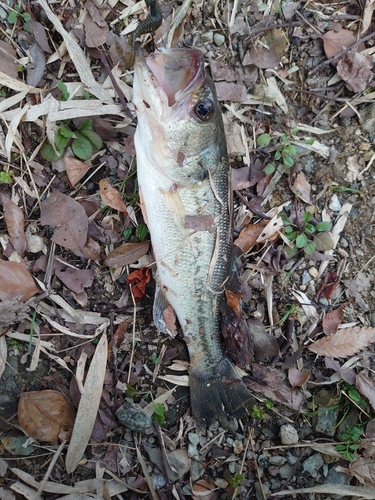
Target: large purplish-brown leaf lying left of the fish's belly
<point>69,219</point>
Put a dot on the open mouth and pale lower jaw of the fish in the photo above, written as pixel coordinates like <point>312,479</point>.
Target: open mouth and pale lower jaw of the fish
<point>166,77</point>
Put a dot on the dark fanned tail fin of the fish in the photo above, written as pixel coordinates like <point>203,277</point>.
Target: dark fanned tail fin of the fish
<point>218,394</point>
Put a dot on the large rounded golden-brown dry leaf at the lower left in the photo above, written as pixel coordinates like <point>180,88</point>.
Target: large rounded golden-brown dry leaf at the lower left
<point>46,415</point>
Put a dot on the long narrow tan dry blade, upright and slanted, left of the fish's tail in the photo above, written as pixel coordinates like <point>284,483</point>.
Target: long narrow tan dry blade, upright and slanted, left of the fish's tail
<point>88,406</point>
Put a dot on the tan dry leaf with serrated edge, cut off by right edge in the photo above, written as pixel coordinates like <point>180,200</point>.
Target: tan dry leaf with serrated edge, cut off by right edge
<point>344,343</point>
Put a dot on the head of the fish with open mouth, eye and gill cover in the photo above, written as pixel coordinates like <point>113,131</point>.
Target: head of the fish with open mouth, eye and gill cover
<point>179,118</point>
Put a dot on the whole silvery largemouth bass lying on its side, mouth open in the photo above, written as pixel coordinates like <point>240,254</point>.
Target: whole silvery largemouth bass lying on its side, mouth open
<point>183,177</point>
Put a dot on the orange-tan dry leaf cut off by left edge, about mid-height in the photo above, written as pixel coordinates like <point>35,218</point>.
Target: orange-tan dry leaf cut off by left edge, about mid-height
<point>16,281</point>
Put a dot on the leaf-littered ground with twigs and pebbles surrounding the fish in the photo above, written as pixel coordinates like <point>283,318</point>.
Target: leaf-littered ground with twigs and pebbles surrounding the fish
<point>94,402</point>
